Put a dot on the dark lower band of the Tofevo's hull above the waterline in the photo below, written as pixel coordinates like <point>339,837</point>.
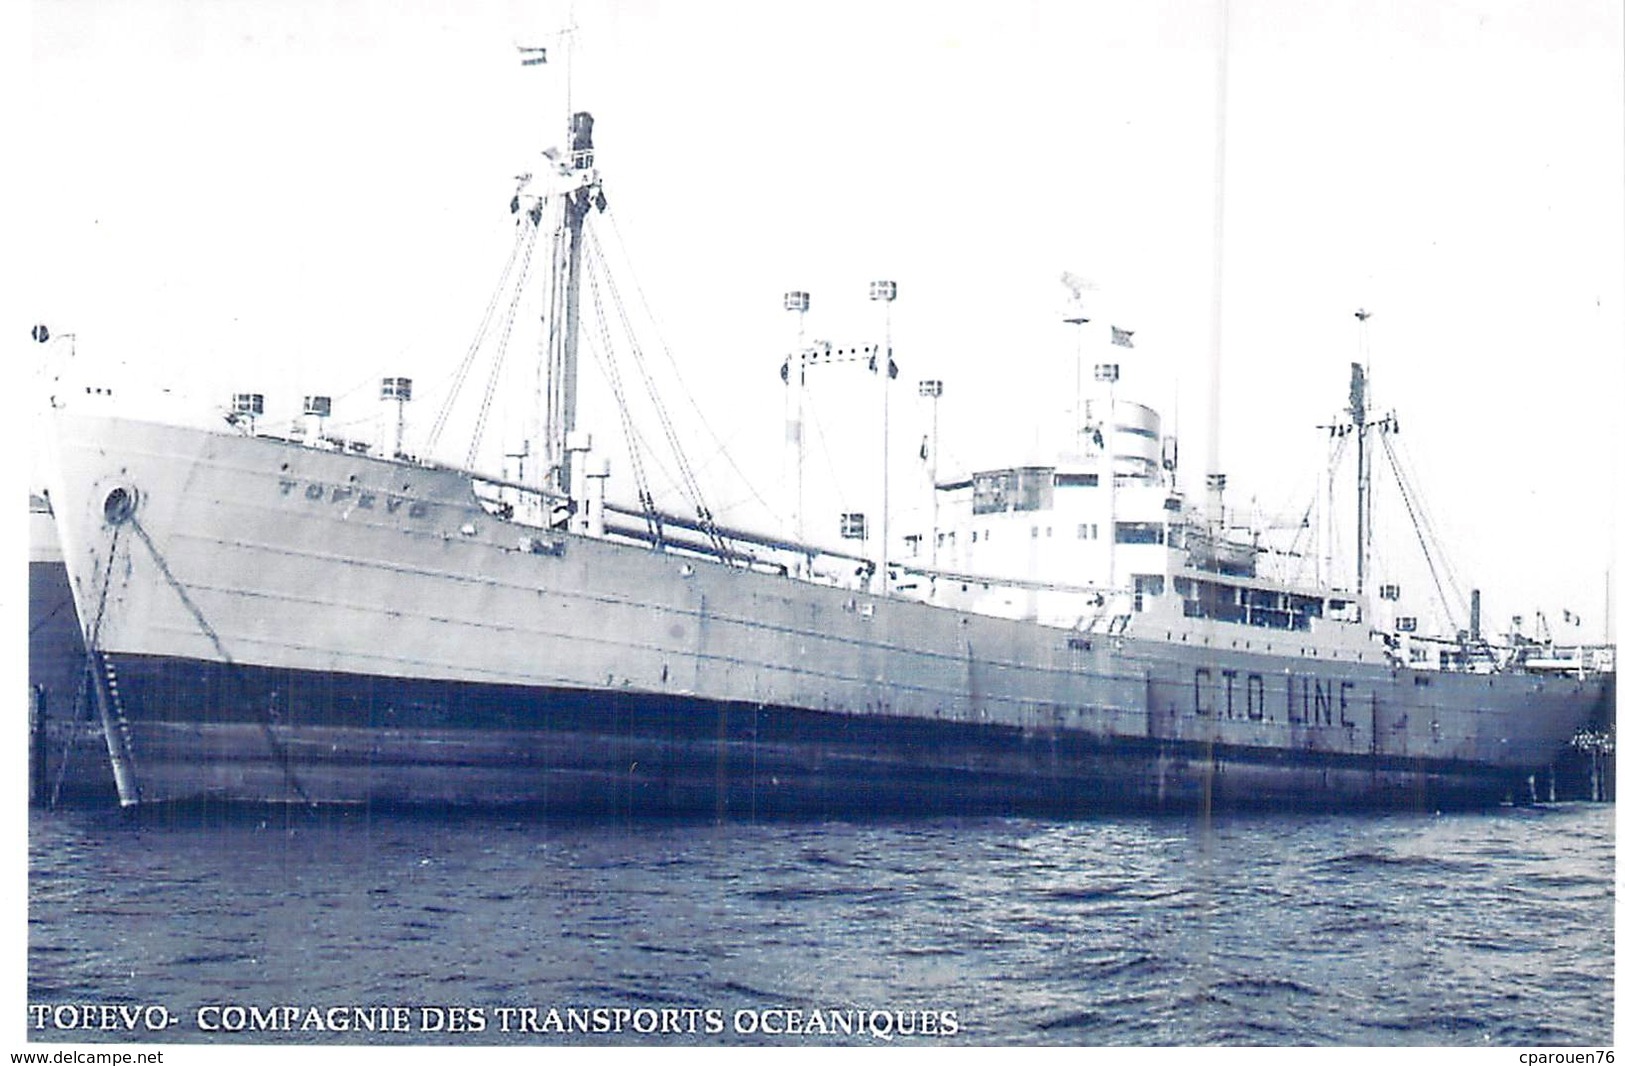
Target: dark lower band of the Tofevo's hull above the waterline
<point>209,732</point>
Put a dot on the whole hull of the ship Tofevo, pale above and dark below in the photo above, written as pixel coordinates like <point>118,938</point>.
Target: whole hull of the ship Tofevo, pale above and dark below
<point>274,623</point>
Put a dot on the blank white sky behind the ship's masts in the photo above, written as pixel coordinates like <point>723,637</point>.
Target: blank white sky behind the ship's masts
<point>301,197</point>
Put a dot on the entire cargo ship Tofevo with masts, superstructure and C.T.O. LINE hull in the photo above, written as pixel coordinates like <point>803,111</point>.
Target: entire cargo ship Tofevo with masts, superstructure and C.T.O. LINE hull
<point>290,618</point>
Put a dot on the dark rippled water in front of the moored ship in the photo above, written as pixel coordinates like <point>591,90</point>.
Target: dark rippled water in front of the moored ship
<point>1406,930</point>
